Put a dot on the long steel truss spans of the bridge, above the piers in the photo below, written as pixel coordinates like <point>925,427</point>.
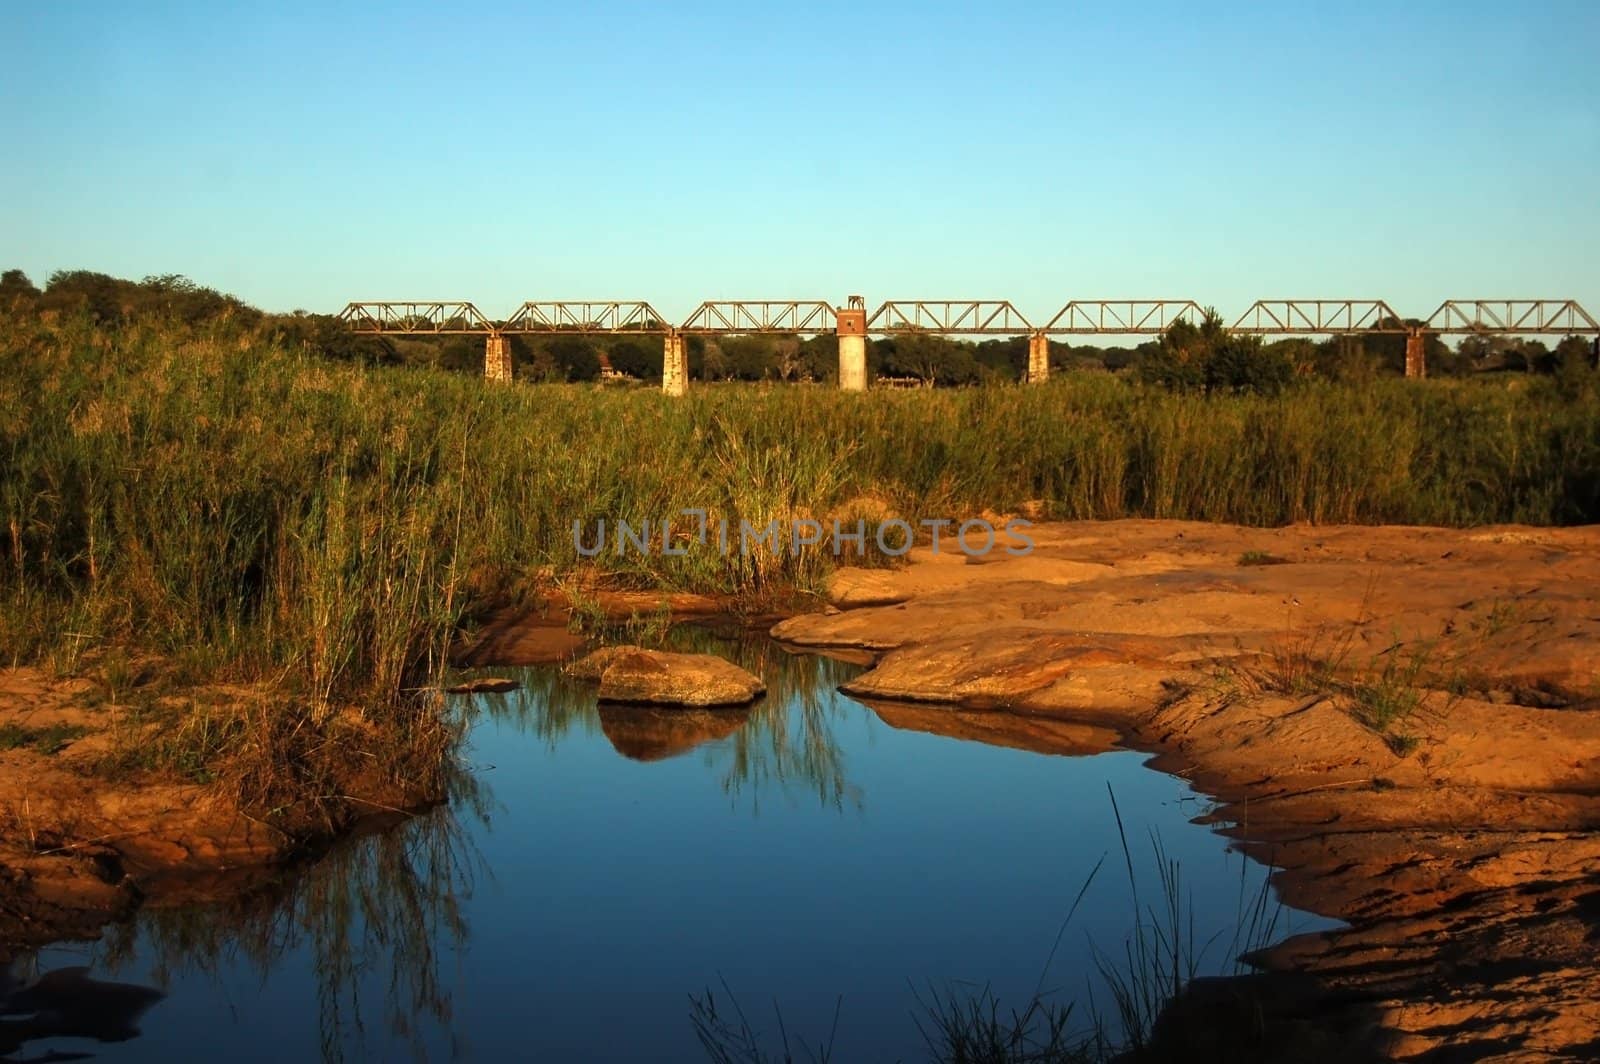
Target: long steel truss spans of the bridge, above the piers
<point>969,318</point>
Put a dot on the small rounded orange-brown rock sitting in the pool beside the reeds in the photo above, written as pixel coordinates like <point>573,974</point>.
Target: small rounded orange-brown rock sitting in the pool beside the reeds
<point>630,674</point>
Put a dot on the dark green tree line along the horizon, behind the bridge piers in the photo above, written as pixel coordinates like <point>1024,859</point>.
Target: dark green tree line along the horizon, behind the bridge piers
<point>1188,356</point>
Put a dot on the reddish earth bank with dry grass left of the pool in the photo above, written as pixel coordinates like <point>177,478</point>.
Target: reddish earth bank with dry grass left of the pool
<point>145,793</point>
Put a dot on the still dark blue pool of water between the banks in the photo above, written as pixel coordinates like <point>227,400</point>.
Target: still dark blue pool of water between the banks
<point>602,865</point>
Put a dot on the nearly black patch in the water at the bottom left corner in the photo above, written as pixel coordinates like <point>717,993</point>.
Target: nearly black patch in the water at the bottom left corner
<point>68,1004</point>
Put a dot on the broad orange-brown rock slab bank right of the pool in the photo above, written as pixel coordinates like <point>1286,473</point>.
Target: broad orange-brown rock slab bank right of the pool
<point>1406,721</point>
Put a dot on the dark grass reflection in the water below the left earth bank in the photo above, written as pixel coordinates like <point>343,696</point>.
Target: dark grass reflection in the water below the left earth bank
<point>391,902</point>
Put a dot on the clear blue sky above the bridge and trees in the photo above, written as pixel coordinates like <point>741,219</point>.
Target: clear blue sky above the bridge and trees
<point>303,158</point>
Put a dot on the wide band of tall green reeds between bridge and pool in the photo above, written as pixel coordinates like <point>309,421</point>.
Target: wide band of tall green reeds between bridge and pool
<point>329,527</point>
